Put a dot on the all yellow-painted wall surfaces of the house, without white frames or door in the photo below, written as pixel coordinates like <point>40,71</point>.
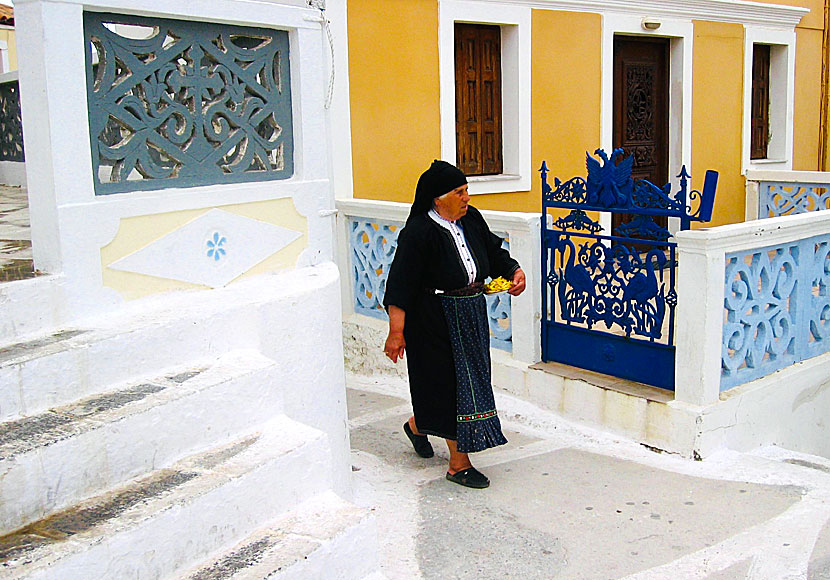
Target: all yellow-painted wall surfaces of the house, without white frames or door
<point>395,100</point>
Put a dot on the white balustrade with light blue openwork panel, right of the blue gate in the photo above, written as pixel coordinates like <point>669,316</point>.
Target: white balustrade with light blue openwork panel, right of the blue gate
<point>753,298</point>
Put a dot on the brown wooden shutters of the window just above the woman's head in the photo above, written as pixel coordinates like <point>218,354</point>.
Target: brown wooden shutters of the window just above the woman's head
<point>478,99</point>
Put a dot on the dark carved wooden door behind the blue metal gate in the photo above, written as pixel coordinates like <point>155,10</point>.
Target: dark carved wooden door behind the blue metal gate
<point>641,109</point>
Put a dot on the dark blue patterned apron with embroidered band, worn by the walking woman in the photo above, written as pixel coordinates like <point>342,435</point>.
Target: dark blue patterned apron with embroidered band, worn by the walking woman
<point>478,426</point>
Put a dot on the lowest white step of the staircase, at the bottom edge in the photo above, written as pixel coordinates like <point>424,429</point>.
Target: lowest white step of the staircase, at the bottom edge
<point>324,538</point>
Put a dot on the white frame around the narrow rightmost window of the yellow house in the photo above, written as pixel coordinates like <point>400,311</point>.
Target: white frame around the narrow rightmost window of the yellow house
<point>781,96</point>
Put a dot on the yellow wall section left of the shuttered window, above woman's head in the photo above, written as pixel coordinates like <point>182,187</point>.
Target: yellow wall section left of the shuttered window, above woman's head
<point>393,78</point>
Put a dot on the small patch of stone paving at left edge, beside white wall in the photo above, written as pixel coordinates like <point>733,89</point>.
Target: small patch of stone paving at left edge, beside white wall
<point>15,235</point>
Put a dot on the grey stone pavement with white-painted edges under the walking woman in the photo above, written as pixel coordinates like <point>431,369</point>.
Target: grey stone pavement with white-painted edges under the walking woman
<point>568,502</point>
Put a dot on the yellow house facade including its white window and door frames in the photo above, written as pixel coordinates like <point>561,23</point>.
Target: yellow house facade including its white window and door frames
<point>558,91</point>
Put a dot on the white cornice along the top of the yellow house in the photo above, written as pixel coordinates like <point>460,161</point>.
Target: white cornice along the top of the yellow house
<point>738,11</point>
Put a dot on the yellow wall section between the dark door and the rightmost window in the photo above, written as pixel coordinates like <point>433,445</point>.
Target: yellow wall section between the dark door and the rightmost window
<point>717,112</point>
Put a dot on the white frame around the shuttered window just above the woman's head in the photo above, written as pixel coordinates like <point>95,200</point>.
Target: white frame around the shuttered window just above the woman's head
<point>515,23</point>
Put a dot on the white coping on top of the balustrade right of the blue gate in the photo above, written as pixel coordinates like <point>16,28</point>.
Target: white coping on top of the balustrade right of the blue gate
<point>755,234</point>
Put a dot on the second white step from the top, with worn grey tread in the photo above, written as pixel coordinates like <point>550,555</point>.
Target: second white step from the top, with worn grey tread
<point>57,458</point>
